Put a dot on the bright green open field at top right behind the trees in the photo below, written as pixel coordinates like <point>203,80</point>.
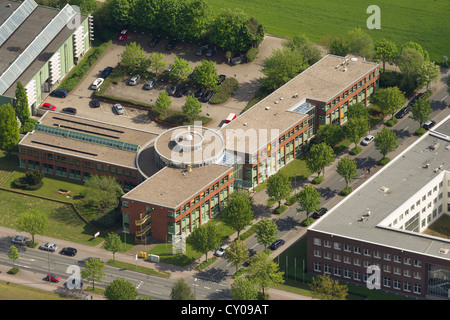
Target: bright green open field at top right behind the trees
<point>423,21</point>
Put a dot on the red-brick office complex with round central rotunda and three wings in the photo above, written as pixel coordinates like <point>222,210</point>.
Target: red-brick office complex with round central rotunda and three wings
<point>179,179</point>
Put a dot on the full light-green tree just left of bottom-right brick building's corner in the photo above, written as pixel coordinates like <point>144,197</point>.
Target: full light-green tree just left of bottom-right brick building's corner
<point>264,272</point>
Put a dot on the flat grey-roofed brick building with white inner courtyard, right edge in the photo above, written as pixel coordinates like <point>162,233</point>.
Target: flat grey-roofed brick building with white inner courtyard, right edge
<point>378,236</point>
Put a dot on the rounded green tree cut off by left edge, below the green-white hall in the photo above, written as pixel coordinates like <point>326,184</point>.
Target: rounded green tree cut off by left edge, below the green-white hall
<point>9,129</point>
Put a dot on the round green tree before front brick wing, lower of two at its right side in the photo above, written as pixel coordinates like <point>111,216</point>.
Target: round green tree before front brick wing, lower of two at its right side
<point>205,238</point>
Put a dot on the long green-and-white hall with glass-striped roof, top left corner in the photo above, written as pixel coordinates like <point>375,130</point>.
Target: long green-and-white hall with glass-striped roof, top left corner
<point>38,47</point>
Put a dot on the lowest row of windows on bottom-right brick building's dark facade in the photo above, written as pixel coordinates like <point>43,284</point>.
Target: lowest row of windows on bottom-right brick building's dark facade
<point>366,277</point>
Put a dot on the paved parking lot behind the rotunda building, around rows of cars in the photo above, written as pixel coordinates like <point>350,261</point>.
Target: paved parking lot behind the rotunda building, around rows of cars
<point>246,74</point>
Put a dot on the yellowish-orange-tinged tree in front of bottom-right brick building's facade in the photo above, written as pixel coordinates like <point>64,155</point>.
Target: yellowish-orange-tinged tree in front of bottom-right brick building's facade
<point>325,288</point>
